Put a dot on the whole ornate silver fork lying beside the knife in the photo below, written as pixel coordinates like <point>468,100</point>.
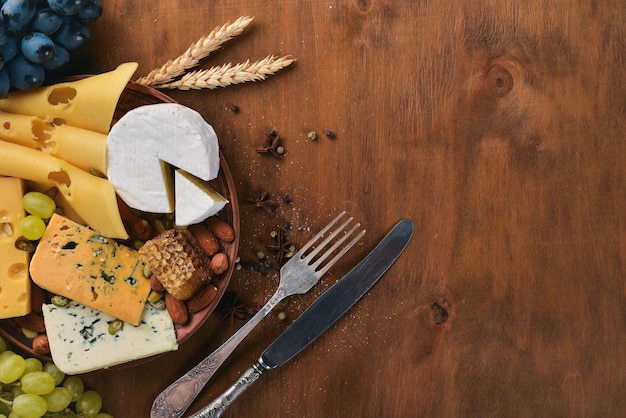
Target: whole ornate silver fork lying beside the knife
<point>297,276</point>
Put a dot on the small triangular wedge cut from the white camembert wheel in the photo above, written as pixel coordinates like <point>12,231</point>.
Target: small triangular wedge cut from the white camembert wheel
<point>195,199</point>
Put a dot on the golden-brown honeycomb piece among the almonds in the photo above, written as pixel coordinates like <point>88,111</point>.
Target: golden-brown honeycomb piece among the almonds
<point>177,261</point>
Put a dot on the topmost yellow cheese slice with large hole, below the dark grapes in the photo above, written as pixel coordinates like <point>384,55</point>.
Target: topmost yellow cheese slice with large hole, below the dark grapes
<point>88,103</point>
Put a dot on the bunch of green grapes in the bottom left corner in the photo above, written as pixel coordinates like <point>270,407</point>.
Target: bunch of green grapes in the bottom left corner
<point>32,389</point>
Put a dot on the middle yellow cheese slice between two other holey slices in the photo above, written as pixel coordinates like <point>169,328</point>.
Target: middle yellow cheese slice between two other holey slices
<point>81,147</point>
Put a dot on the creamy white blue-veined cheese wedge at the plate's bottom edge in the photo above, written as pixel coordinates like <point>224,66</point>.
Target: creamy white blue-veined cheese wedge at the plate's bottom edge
<point>80,341</point>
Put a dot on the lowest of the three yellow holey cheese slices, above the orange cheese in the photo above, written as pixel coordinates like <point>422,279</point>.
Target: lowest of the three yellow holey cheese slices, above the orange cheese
<point>92,198</point>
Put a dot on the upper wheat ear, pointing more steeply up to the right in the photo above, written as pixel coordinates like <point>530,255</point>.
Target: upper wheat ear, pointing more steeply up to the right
<point>197,51</point>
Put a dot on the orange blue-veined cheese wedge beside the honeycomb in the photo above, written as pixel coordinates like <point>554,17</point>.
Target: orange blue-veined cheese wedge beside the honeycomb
<point>74,261</point>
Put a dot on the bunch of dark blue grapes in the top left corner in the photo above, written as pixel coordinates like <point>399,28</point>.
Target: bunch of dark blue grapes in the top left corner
<point>37,35</point>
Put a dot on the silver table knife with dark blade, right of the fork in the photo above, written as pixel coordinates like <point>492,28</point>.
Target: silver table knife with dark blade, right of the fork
<point>318,317</point>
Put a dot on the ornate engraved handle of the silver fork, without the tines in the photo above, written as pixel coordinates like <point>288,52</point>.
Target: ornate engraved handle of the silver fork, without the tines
<point>176,398</point>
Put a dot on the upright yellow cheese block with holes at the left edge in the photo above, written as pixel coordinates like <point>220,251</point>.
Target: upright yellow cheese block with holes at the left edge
<point>14,280</point>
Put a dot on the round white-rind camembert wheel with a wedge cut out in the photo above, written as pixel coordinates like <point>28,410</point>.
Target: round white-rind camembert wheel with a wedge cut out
<point>145,140</point>
